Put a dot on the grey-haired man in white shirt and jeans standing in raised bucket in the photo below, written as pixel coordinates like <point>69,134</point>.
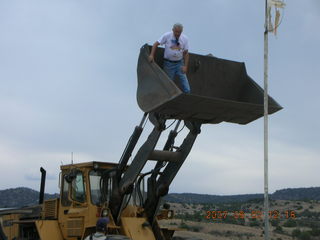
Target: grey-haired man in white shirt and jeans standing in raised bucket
<point>176,56</point>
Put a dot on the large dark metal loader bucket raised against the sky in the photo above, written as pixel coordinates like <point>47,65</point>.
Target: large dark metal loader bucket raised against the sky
<point>221,91</point>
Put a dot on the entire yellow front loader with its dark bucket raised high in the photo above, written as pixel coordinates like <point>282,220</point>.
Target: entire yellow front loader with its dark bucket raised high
<point>221,91</point>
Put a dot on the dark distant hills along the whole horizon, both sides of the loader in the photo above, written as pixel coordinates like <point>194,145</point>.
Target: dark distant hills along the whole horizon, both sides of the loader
<point>19,197</point>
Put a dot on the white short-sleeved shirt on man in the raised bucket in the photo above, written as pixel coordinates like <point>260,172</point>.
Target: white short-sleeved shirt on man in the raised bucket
<point>172,51</point>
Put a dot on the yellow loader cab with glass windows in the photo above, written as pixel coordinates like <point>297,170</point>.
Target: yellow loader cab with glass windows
<point>80,198</point>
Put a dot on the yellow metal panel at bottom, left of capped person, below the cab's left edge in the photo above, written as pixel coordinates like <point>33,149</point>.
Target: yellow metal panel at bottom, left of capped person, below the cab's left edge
<point>49,230</point>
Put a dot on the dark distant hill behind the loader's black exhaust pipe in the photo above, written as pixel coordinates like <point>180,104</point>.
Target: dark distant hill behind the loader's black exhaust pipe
<point>20,197</point>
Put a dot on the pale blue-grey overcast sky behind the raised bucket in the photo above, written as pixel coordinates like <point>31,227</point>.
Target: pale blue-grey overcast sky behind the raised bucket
<point>68,84</point>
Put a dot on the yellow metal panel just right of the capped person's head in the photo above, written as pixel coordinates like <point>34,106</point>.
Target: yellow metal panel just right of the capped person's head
<point>133,228</point>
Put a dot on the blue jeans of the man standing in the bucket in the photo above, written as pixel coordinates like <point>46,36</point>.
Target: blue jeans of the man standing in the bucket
<point>174,68</point>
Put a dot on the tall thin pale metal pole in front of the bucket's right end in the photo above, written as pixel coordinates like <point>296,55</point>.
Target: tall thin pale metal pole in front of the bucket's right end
<point>266,195</point>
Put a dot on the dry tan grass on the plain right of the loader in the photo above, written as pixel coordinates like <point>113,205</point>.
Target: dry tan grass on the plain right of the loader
<point>211,230</point>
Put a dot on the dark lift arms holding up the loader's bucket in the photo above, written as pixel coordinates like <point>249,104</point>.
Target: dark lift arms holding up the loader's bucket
<point>158,182</point>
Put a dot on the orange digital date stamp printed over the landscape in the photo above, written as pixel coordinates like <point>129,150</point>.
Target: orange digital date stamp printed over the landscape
<point>254,214</point>
